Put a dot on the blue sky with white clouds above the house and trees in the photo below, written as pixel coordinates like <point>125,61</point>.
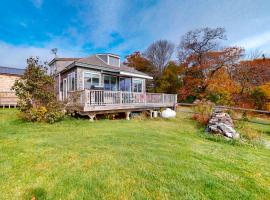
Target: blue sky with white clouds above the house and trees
<point>82,27</point>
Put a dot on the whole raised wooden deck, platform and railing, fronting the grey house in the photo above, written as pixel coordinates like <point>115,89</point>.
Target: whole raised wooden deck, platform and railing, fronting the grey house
<point>99,101</point>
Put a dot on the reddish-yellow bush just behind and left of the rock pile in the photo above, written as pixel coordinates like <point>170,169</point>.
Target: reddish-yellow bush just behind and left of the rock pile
<point>203,111</point>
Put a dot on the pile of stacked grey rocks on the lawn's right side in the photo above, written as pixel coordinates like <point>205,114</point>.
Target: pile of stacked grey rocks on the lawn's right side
<point>222,123</point>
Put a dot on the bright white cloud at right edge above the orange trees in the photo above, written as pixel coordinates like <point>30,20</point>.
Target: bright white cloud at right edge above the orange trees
<point>259,41</point>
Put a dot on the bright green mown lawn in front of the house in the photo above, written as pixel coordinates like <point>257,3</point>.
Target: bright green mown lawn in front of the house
<point>149,159</point>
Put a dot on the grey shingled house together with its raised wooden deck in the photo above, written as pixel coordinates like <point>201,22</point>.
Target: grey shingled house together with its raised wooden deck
<point>102,84</point>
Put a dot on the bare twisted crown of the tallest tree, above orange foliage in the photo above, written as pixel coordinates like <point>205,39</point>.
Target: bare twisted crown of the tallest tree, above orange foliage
<point>198,42</point>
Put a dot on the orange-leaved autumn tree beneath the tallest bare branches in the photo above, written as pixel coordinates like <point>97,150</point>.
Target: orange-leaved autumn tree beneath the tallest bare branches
<point>197,77</point>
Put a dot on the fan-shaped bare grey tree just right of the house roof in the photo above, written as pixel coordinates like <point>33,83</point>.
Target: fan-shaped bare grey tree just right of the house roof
<point>159,54</point>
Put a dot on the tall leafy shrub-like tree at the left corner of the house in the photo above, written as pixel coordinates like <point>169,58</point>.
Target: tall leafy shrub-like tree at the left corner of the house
<point>35,90</point>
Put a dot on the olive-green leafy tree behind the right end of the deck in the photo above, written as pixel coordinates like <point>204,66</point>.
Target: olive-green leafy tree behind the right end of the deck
<point>170,81</point>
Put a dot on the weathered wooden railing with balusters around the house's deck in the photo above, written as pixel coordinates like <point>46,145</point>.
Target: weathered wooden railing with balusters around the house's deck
<point>100,97</point>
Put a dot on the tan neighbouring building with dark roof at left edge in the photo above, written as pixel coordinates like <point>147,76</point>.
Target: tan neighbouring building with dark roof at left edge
<point>8,75</point>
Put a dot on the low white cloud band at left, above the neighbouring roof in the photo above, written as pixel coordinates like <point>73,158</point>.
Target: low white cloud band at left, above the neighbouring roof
<point>15,56</point>
